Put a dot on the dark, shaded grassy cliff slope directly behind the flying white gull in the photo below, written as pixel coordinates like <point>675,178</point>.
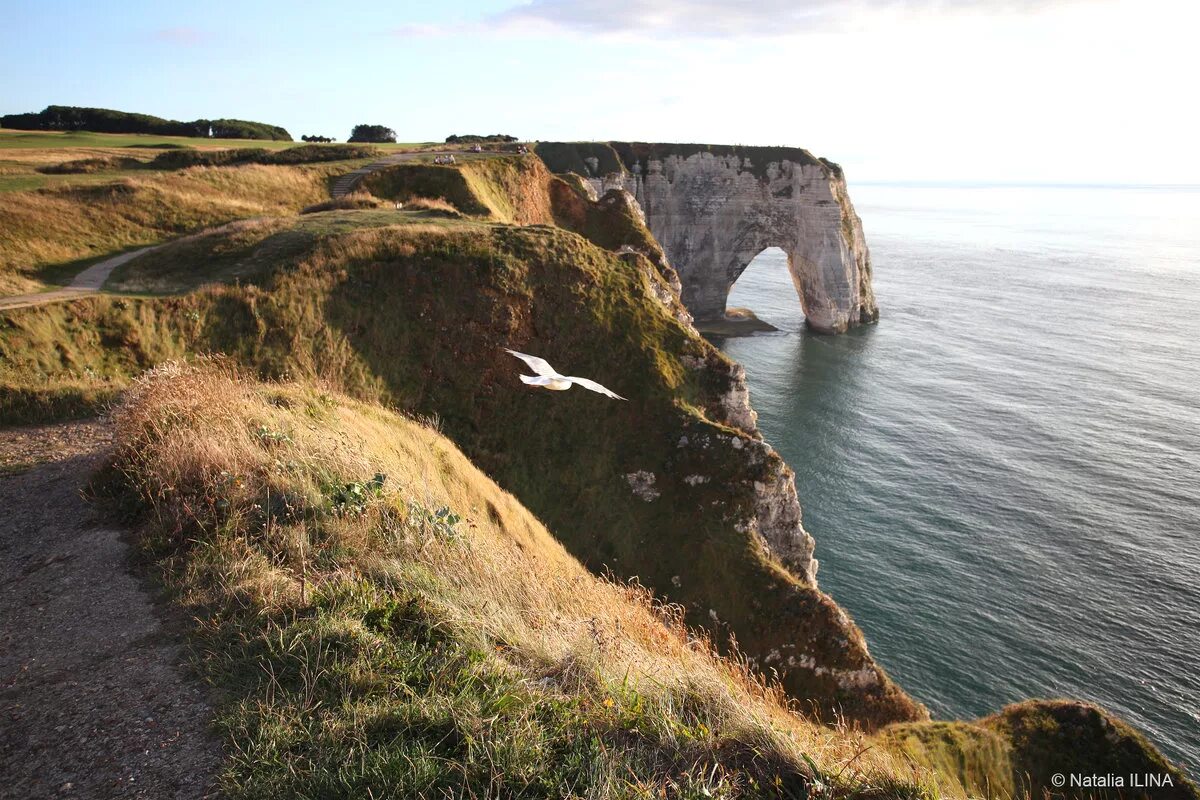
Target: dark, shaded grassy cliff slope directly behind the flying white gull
<point>417,315</point>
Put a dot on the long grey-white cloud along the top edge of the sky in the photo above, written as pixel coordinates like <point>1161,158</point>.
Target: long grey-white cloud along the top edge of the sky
<point>710,19</point>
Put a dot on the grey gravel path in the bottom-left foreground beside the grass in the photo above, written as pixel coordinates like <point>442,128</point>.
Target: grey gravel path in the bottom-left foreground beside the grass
<point>93,703</point>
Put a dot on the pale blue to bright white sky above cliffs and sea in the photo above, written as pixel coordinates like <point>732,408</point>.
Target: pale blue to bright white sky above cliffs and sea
<point>1073,92</point>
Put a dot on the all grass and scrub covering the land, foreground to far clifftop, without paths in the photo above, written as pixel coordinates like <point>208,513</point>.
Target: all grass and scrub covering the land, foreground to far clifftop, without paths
<point>407,574</point>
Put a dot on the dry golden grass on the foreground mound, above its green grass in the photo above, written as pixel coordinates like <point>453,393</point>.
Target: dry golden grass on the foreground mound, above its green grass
<point>207,450</point>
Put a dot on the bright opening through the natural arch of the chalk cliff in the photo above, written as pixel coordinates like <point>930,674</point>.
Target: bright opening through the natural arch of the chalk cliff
<point>763,296</point>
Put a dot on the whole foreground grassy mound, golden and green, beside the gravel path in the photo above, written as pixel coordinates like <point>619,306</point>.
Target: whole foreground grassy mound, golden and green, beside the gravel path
<point>387,648</point>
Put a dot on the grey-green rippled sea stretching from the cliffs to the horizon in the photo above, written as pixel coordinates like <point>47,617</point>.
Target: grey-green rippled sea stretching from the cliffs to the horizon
<point>1004,476</point>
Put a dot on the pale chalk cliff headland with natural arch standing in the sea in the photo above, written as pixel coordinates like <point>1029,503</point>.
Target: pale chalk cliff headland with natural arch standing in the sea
<point>716,208</point>
